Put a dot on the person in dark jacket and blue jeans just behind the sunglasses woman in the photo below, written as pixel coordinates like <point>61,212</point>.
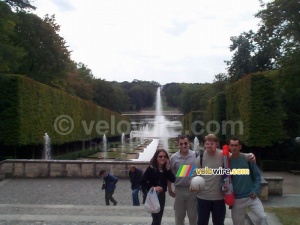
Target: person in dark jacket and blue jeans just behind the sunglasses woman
<point>135,176</point>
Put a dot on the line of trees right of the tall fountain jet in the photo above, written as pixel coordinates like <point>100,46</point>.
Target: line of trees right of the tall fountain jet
<point>275,47</point>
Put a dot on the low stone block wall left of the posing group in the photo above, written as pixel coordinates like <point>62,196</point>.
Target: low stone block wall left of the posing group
<point>65,168</point>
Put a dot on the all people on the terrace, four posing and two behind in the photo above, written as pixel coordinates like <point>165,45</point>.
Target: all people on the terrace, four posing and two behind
<point>198,205</point>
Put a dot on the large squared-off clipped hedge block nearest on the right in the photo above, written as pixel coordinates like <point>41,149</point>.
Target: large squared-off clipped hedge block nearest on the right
<point>255,102</point>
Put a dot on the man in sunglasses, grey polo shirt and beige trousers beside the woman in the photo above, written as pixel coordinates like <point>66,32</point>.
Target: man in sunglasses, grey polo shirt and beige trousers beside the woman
<point>185,200</point>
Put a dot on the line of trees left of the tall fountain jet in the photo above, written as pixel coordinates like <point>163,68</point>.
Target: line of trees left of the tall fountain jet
<point>31,46</point>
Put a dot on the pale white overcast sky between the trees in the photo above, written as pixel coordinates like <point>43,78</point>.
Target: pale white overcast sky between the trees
<point>152,40</point>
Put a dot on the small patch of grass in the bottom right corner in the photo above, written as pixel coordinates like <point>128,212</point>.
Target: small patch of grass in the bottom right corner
<point>287,216</point>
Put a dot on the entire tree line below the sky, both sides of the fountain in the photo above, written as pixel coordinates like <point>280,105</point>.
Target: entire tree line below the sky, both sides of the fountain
<point>32,46</point>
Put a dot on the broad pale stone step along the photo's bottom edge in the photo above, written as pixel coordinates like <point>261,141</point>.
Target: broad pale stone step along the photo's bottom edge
<point>26,214</point>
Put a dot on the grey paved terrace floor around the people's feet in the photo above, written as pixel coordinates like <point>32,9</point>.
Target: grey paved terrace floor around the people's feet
<point>66,201</point>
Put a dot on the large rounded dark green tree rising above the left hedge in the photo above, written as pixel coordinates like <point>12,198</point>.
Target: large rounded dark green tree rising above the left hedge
<point>47,57</point>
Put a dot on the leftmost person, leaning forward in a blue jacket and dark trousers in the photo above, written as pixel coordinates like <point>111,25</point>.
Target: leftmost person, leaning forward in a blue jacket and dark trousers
<point>109,185</point>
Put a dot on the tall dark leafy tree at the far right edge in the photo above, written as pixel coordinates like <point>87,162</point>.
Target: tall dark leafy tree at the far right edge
<point>280,27</point>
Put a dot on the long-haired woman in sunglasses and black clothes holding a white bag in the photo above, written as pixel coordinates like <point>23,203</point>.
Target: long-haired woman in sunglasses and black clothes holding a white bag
<point>157,176</point>
